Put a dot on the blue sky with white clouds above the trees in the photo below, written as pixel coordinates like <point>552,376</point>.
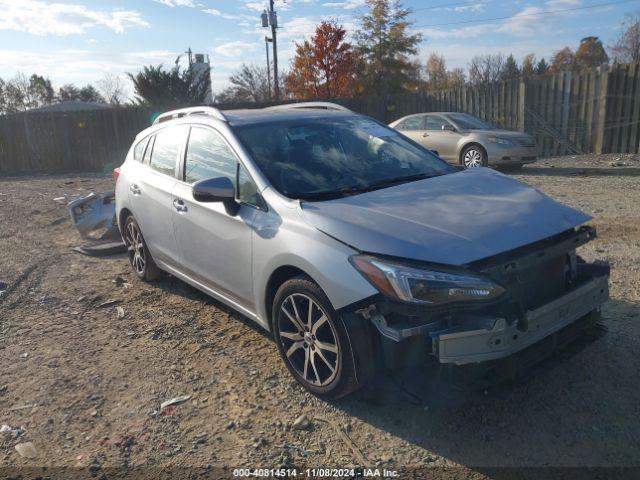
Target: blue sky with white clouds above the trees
<point>79,41</point>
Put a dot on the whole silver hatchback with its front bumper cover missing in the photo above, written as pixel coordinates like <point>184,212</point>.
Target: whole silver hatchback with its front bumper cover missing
<point>358,248</point>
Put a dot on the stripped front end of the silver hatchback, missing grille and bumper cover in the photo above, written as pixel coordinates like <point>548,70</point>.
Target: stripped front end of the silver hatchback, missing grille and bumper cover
<point>540,289</point>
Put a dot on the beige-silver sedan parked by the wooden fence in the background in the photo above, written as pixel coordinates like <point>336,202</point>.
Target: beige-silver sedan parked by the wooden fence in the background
<point>463,139</point>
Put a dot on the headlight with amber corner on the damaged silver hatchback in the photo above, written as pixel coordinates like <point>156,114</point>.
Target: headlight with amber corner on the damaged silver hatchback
<point>416,285</point>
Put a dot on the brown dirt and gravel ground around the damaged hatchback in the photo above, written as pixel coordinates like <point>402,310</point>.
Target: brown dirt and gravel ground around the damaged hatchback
<point>85,384</point>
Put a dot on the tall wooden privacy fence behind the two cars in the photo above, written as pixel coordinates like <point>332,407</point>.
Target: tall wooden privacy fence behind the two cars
<point>589,111</point>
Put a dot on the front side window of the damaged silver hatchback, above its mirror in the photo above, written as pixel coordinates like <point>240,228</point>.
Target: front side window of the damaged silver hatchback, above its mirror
<point>208,156</point>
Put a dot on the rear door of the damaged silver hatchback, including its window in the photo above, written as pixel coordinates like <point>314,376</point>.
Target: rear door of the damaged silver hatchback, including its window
<point>151,189</point>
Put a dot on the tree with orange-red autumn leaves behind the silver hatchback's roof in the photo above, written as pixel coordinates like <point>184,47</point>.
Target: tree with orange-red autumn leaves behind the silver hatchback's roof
<point>323,67</point>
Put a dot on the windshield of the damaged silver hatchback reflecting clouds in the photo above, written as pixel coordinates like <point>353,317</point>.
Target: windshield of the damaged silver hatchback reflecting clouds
<point>324,158</point>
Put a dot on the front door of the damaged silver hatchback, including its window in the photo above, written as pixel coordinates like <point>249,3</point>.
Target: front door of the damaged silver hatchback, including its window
<point>214,243</point>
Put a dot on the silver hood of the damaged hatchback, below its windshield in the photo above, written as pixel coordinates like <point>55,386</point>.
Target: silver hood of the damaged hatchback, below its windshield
<point>454,219</point>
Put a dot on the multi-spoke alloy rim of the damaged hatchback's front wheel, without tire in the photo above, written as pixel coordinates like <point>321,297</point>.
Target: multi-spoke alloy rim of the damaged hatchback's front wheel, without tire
<point>309,339</point>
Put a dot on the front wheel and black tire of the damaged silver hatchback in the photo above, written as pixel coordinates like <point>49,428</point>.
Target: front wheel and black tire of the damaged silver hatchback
<point>322,350</point>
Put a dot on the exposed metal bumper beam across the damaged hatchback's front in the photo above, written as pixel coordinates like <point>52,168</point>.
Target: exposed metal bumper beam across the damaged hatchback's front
<point>481,336</point>
